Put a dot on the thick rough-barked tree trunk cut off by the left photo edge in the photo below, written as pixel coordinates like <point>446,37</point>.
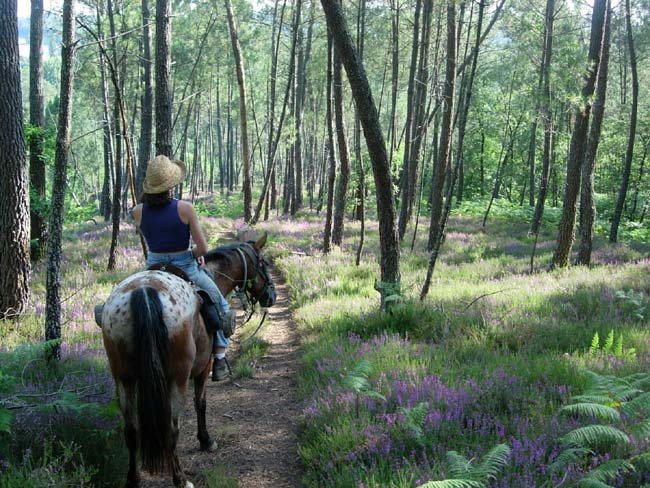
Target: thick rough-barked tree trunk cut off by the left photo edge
<point>14,191</point>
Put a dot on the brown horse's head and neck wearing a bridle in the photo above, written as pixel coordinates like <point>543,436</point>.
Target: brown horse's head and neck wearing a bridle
<point>244,266</point>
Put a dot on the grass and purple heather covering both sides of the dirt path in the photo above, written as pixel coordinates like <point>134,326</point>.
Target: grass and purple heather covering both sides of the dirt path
<point>489,357</point>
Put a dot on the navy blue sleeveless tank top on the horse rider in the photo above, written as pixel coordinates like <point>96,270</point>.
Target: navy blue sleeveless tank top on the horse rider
<point>163,229</point>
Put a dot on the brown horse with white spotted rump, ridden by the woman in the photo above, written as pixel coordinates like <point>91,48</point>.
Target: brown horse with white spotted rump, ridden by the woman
<point>156,342</point>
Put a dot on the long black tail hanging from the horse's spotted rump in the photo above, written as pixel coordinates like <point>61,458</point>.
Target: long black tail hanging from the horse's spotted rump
<point>152,361</point>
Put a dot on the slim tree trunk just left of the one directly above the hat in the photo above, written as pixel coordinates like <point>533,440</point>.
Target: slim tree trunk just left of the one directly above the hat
<point>146,121</point>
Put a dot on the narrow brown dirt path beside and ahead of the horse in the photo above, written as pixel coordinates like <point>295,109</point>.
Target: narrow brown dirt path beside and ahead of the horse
<point>253,420</point>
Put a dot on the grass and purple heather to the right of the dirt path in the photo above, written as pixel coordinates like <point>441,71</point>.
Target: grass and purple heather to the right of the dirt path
<point>487,358</point>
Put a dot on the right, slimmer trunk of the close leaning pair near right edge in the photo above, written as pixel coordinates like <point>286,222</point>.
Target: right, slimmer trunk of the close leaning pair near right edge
<point>587,206</point>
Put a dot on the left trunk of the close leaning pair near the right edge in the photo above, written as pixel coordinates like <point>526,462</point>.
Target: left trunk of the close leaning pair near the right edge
<point>566,232</point>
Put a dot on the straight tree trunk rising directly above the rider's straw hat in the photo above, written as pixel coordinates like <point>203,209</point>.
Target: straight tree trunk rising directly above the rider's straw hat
<point>163,78</point>
